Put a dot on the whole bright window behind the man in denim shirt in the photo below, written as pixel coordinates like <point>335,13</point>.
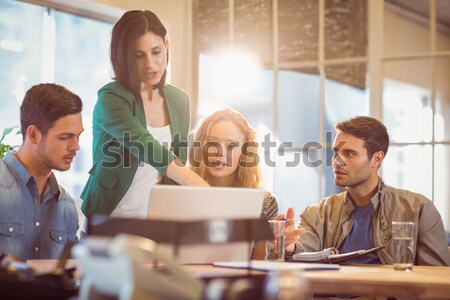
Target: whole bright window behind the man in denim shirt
<point>53,46</point>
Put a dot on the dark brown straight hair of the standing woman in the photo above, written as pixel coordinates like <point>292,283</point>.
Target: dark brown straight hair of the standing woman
<point>132,25</point>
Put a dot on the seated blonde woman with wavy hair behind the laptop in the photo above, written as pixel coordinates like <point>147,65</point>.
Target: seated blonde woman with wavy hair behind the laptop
<point>225,153</point>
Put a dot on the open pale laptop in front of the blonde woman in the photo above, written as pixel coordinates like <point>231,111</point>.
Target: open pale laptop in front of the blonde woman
<point>183,203</point>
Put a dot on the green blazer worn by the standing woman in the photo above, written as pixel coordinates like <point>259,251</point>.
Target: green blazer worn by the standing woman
<point>121,140</point>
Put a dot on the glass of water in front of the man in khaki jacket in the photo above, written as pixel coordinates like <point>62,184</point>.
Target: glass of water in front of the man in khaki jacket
<point>402,233</point>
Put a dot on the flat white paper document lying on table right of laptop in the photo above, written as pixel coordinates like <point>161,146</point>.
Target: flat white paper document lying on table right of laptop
<point>277,266</point>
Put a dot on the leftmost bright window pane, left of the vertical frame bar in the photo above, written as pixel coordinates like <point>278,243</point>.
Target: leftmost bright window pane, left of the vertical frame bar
<point>20,56</point>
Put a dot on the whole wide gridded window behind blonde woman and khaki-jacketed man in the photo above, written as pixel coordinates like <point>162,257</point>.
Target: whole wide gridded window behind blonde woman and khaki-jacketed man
<point>322,61</point>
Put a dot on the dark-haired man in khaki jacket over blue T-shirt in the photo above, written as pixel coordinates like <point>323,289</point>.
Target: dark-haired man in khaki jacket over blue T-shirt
<point>361,217</point>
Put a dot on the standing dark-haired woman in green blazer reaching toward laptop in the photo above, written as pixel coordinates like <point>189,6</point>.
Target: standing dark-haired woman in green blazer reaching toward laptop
<point>140,123</point>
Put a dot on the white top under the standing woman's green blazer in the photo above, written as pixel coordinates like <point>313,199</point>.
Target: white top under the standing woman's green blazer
<point>135,201</point>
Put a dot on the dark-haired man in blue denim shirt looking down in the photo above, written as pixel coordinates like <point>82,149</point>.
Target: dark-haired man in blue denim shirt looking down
<point>37,215</point>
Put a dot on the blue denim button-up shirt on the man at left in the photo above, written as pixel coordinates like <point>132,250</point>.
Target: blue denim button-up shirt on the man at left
<point>30,229</point>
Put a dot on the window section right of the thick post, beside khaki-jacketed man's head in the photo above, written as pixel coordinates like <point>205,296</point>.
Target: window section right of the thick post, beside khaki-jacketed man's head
<point>416,98</point>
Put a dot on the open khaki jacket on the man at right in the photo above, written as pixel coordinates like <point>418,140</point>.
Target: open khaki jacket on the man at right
<point>328,223</point>
